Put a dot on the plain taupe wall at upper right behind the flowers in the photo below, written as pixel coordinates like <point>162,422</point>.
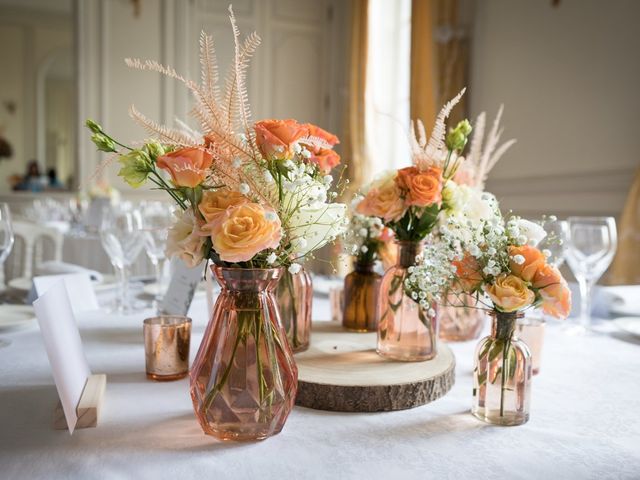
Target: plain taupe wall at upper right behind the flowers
<point>569,79</point>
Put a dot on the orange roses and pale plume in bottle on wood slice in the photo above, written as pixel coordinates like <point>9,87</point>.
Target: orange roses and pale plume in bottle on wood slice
<point>409,200</point>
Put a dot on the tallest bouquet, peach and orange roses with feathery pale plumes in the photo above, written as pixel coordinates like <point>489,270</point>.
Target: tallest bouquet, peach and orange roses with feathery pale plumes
<point>253,195</point>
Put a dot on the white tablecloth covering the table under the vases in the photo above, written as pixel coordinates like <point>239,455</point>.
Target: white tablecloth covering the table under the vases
<point>584,420</point>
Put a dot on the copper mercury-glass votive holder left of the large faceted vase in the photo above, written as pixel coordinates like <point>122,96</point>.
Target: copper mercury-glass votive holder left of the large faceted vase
<point>166,347</point>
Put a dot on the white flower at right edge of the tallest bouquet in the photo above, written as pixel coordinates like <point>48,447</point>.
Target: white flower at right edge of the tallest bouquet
<point>318,226</point>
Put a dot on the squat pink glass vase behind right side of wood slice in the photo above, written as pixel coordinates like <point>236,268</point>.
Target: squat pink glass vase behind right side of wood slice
<point>460,319</point>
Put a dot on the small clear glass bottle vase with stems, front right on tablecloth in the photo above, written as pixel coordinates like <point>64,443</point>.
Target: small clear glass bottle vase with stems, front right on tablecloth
<point>502,374</point>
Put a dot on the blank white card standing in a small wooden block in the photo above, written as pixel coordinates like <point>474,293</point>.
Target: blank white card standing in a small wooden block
<point>64,348</point>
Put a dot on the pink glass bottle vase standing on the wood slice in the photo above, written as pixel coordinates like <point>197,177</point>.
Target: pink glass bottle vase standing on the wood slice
<point>406,332</point>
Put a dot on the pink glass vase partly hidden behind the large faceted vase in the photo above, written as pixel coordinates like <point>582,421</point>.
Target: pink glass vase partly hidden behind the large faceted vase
<point>295,295</point>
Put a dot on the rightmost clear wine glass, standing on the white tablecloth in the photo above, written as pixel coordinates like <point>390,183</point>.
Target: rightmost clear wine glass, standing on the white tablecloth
<point>591,244</point>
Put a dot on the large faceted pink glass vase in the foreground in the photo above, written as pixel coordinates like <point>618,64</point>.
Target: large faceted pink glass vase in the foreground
<point>244,380</point>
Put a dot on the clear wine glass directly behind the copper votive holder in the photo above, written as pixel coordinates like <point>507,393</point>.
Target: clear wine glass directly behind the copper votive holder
<point>156,220</point>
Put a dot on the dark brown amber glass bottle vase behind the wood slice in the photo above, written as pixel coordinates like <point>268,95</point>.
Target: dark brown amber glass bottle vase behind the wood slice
<point>360,298</point>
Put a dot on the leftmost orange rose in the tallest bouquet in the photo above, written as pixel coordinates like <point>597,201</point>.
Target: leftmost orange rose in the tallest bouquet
<point>187,166</point>
